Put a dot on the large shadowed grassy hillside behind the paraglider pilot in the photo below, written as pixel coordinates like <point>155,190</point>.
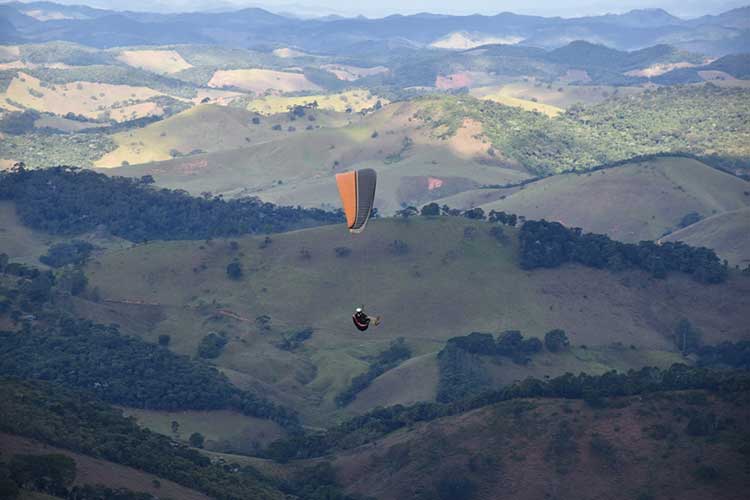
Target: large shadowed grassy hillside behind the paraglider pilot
<point>448,277</point>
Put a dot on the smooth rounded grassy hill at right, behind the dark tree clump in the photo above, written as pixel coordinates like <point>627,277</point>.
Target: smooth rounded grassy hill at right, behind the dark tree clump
<point>632,202</point>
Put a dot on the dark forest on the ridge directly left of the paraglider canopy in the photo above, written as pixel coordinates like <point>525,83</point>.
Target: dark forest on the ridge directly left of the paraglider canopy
<point>69,201</point>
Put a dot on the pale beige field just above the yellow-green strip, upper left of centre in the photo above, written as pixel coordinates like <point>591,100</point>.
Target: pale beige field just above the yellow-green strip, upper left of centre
<point>262,81</point>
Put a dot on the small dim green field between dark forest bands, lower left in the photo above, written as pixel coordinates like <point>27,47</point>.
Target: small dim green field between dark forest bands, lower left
<point>223,430</point>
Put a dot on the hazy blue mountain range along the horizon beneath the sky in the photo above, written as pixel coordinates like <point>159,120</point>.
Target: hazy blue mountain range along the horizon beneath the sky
<point>251,27</point>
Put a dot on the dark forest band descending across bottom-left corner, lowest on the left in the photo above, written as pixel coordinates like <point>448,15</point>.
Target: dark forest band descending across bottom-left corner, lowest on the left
<point>76,421</point>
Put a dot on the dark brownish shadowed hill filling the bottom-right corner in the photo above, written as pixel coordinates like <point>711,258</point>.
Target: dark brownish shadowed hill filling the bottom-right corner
<point>634,448</point>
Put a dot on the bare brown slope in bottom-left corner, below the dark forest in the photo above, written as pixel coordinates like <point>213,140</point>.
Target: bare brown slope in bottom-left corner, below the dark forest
<point>95,471</point>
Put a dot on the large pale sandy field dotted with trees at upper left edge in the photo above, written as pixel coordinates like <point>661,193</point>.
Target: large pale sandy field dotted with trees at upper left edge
<point>92,100</point>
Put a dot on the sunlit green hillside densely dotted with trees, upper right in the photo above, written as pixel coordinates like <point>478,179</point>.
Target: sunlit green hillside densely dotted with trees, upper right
<point>703,120</point>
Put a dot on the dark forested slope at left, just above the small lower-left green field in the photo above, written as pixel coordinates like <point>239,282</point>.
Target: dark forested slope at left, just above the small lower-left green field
<point>126,370</point>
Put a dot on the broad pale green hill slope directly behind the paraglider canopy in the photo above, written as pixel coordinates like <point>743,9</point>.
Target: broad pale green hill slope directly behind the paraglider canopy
<point>298,166</point>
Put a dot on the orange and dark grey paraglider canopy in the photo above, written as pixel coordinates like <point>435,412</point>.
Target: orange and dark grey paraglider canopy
<point>357,190</point>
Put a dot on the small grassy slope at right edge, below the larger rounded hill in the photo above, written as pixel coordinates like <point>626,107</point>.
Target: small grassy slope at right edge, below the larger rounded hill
<point>727,233</point>
